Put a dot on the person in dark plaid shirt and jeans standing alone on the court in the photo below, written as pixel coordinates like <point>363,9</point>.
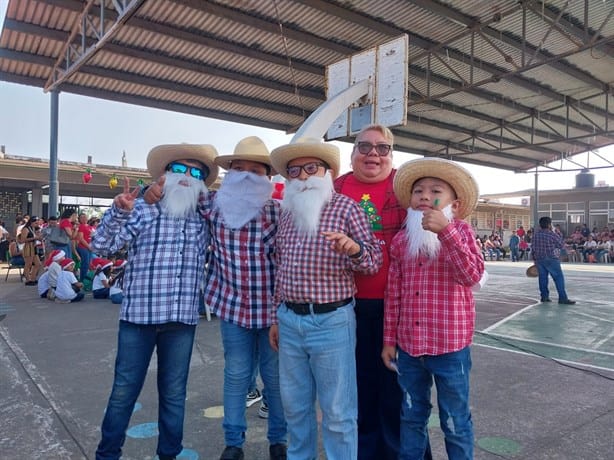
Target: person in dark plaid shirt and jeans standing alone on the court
<point>546,247</point>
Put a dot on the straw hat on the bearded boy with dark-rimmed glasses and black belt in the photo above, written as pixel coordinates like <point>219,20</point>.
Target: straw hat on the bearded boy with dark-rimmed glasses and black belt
<point>305,147</point>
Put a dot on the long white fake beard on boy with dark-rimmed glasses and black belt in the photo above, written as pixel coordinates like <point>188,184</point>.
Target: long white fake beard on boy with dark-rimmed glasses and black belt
<point>305,201</point>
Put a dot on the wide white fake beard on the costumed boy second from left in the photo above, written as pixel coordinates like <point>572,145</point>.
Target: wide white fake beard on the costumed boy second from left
<point>241,197</point>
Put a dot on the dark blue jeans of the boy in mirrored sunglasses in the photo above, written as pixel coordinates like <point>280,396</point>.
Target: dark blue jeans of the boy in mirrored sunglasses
<point>135,345</point>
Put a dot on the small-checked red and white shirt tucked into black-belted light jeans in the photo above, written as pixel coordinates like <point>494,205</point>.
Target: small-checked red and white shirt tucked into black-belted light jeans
<point>309,271</point>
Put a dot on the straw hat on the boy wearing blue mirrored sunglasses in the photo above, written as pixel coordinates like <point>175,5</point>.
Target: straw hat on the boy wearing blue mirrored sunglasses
<point>159,157</point>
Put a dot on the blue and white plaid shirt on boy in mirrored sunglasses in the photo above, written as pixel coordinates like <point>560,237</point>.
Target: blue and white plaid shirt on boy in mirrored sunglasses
<point>166,262</point>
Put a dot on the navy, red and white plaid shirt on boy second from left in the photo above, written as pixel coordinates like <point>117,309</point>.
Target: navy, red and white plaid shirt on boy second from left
<point>241,269</point>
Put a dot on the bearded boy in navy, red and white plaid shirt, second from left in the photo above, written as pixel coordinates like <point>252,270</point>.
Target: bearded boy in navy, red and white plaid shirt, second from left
<point>240,281</point>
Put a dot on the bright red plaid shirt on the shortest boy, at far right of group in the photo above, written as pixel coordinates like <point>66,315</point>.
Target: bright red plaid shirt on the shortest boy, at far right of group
<point>429,305</point>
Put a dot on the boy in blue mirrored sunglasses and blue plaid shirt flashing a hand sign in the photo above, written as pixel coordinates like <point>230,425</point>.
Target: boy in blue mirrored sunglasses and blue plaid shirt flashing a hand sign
<point>167,244</point>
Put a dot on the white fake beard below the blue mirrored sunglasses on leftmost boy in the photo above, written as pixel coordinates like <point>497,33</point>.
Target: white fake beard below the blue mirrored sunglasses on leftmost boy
<point>180,201</point>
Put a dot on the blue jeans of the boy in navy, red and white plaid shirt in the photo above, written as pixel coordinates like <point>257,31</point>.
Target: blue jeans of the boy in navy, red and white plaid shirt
<point>240,346</point>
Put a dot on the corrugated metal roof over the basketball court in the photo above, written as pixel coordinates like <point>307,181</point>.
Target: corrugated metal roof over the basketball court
<point>506,84</point>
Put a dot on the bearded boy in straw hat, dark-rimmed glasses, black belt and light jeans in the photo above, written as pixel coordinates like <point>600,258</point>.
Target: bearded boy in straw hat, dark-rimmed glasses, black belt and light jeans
<point>323,239</point>
